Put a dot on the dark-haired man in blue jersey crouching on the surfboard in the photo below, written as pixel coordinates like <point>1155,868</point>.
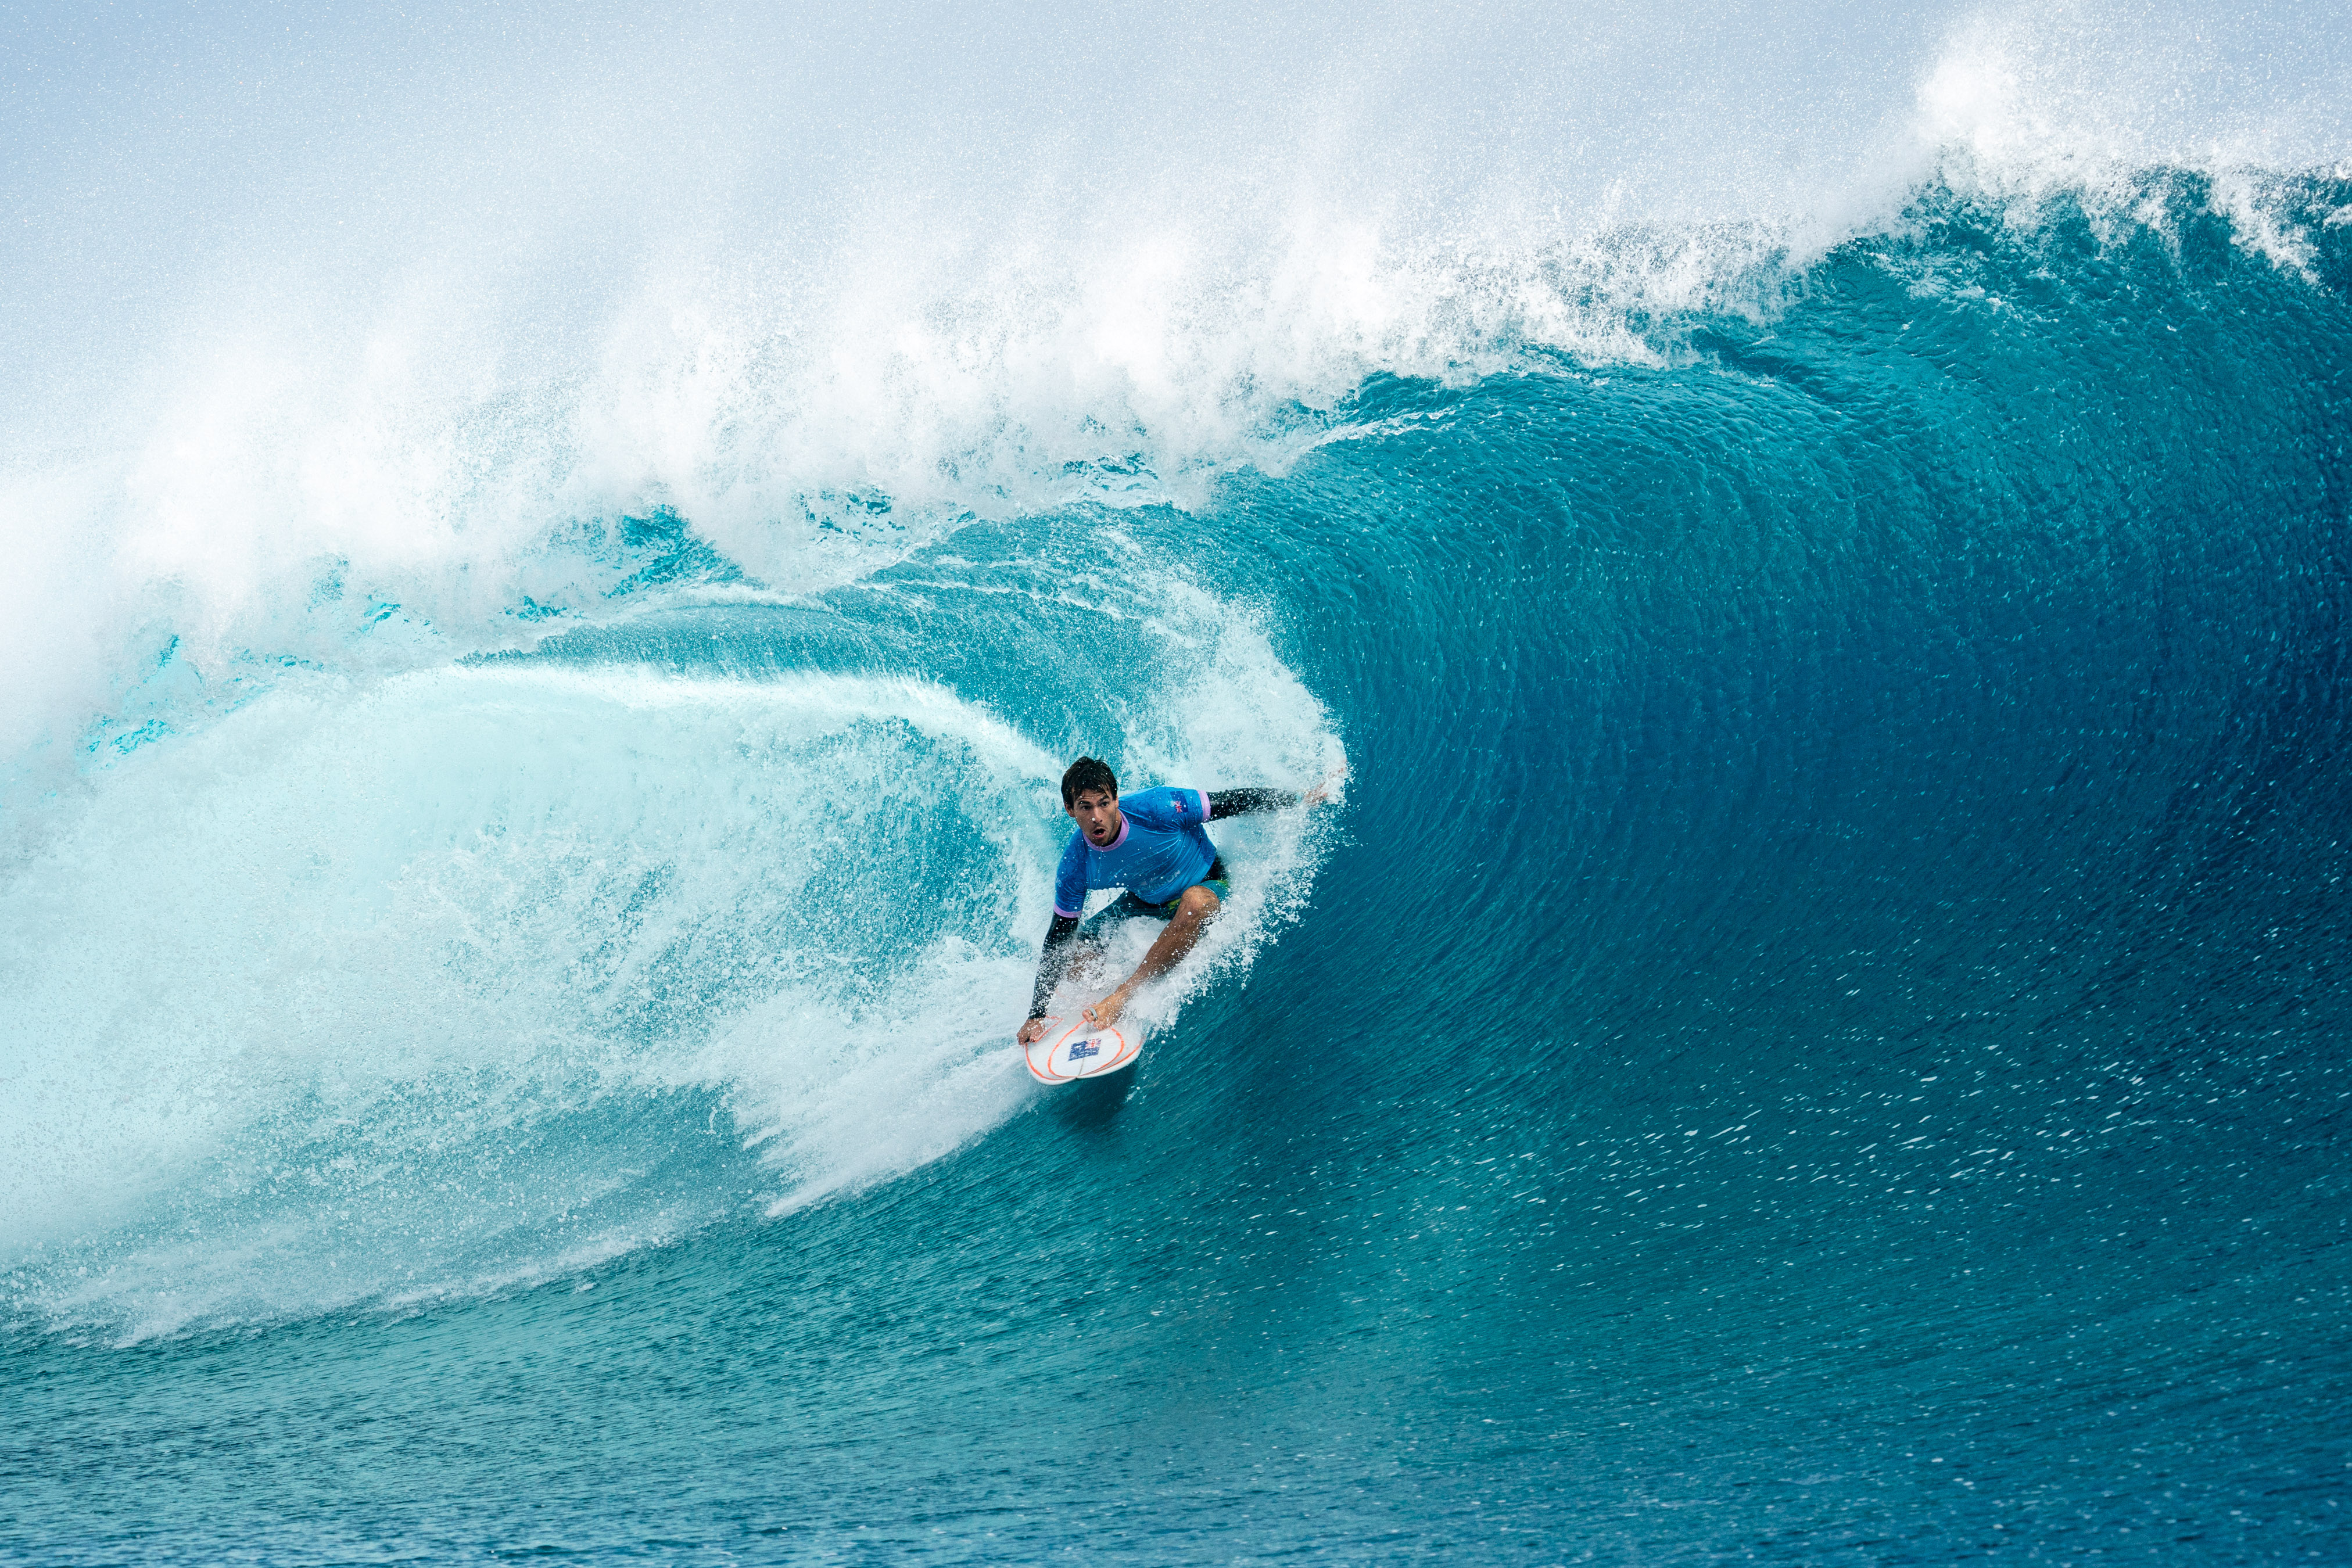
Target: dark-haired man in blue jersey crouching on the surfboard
<point>1154,850</point>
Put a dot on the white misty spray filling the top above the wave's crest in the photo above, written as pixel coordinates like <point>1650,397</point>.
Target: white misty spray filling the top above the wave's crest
<point>794,272</point>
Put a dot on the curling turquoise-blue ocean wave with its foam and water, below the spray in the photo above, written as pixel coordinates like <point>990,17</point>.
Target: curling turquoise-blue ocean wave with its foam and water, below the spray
<point>1817,1033</point>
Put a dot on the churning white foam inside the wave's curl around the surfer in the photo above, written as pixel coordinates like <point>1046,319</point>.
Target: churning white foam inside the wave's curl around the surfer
<point>408,986</point>
